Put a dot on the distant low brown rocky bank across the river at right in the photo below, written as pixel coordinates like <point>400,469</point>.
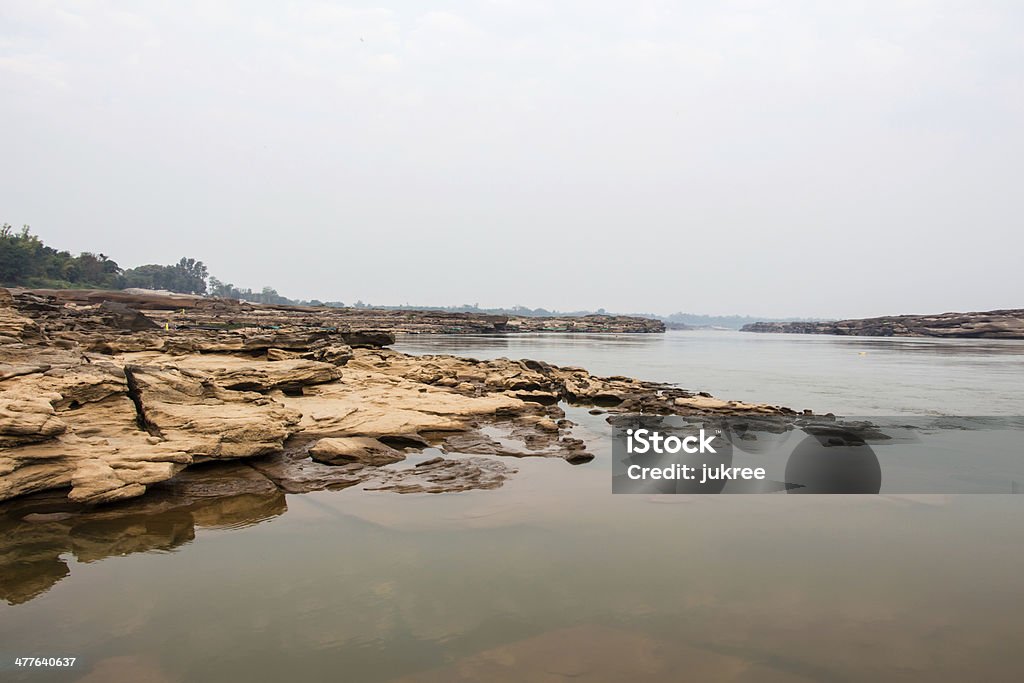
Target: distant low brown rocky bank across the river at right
<point>987,325</point>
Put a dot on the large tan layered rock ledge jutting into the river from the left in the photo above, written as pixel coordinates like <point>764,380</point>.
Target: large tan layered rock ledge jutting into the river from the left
<point>101,404</point>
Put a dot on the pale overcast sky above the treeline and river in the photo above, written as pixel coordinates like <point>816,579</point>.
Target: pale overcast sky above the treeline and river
<point>805,159</point>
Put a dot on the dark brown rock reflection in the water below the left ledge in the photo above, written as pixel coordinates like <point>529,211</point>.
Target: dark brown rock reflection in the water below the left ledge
<point>36,531</point>
